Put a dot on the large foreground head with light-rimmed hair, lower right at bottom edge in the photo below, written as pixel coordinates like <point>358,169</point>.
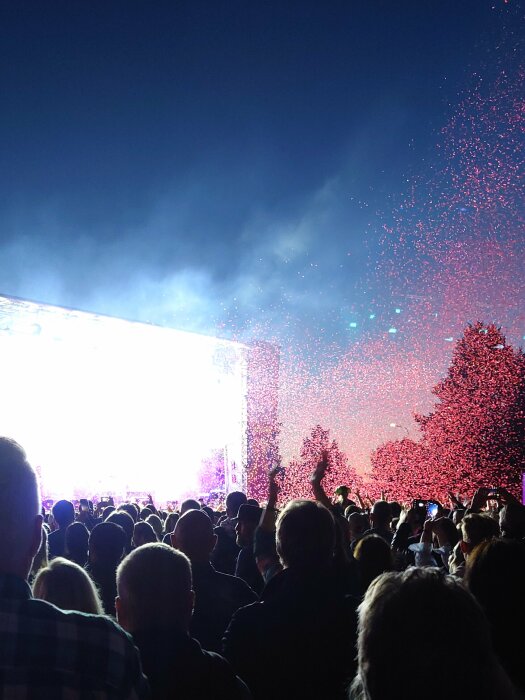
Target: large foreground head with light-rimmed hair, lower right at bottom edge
<point>409,615</point>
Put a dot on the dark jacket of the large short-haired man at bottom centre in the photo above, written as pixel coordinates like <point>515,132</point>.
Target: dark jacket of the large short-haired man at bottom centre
<point>298,642</point>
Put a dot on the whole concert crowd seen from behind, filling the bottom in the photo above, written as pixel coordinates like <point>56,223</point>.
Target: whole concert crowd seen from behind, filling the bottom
<point>321,598</point>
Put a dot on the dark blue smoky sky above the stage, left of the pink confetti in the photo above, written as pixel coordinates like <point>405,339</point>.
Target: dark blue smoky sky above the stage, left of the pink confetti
<point>194,163</point>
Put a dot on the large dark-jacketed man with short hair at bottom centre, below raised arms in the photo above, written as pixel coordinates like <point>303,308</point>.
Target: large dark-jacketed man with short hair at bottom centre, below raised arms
<point>299,641</point>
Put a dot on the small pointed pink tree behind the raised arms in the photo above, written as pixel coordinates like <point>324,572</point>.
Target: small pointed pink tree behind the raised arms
<point>296,482</point>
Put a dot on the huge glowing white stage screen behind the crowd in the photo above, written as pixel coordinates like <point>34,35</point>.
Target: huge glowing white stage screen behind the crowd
<point>105,406</point>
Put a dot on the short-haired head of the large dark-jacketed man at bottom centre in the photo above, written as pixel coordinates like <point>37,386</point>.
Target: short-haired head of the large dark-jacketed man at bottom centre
<point>305,535</point>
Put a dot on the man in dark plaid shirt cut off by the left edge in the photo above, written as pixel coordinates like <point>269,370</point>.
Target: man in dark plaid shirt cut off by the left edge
<point>45,652</point>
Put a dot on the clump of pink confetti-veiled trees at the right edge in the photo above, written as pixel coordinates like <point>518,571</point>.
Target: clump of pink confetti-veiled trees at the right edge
<point>476,434</point>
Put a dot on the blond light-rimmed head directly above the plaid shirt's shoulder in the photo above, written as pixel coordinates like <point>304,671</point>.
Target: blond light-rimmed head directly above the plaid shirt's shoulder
<point>68,586</point>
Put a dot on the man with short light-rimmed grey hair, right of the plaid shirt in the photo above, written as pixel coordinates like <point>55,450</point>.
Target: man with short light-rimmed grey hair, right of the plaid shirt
<point>155,603</point>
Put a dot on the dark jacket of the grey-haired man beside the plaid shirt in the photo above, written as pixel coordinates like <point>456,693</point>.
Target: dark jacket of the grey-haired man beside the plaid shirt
<point>177,667</point>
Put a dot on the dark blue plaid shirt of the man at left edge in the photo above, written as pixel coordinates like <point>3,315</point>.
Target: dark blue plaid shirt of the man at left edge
<point>47,653</point>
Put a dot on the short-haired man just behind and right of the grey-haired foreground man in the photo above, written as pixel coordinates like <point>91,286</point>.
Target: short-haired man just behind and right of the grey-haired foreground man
<point>217,595</point>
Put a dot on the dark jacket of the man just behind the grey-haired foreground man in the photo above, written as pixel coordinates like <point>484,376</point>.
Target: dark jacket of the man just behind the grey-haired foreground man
<point>217,597</point>
